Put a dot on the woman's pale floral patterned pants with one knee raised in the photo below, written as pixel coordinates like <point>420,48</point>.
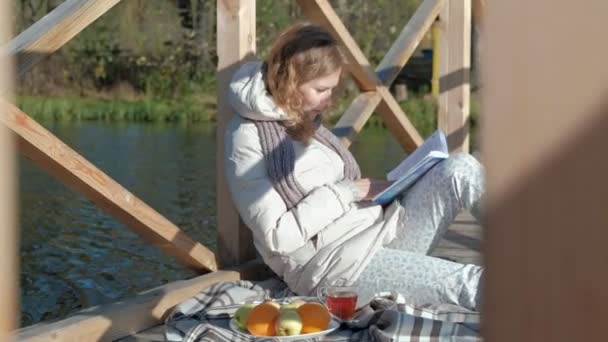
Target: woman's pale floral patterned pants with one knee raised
<point>427,210</point>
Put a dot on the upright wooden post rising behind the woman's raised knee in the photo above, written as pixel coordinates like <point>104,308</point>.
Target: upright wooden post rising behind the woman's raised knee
<point>455,65</point>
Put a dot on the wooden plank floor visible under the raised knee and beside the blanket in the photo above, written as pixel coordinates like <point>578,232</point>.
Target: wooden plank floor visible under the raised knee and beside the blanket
<point>461,243</point>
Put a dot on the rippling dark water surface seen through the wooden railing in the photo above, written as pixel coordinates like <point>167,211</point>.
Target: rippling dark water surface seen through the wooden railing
<point>74,256</point>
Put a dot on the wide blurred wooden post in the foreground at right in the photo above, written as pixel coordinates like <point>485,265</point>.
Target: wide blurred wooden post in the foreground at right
<point>545,152</point>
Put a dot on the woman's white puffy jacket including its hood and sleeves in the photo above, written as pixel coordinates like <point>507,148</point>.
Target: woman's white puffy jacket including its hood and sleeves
<point>327,238</point>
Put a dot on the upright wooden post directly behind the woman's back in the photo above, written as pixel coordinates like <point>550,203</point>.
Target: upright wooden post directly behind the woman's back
<point>235,43</point>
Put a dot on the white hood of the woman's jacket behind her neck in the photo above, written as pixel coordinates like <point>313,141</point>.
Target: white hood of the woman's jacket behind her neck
<point>248,95</point>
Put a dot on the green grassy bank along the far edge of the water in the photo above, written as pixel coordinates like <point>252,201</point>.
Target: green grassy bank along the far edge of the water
<point>421,111</point>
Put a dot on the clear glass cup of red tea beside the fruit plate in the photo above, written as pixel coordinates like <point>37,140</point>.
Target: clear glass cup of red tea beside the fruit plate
<point>341,301</point>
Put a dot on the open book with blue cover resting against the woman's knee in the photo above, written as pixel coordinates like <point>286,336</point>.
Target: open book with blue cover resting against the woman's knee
<point>433,150</point>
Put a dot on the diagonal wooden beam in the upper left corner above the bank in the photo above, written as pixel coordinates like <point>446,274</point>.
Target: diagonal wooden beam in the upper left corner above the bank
<point>54,30</point>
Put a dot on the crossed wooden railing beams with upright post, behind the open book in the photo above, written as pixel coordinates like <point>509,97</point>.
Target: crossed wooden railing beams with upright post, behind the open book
<point>455,22</point>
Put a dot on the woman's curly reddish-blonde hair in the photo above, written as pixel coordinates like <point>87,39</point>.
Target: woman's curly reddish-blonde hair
<point>301,53</point>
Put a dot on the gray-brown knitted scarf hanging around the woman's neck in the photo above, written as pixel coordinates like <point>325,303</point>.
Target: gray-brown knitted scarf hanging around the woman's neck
<point>280,158</point>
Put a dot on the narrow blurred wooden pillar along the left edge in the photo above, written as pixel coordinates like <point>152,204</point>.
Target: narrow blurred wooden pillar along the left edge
<point>9,245</point>
